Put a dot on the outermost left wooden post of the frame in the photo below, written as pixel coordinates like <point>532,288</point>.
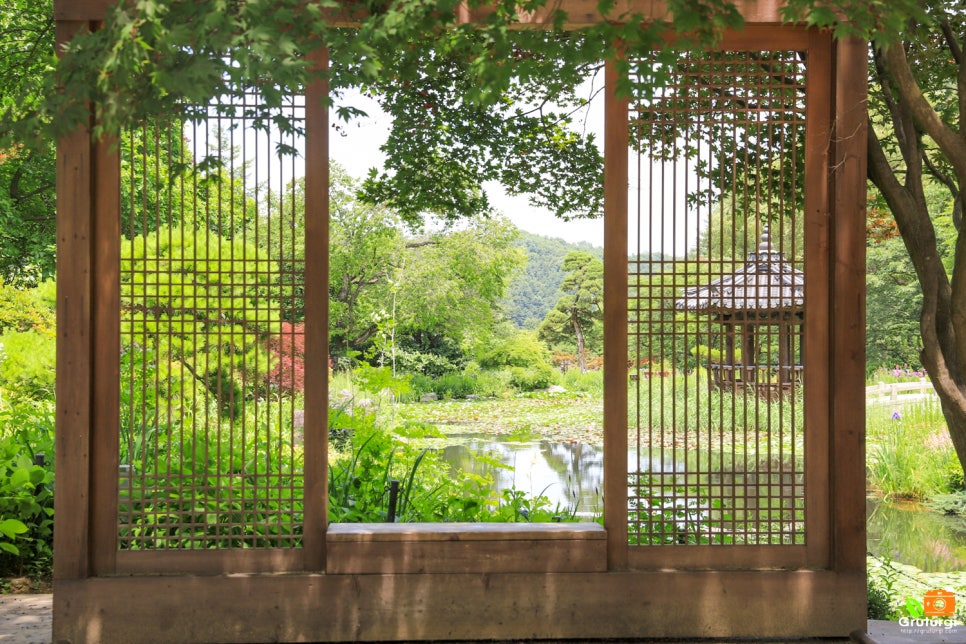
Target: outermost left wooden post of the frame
<point>74,345</point>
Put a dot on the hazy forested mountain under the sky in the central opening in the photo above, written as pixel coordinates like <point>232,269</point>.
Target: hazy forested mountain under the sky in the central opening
<point>534,292</point>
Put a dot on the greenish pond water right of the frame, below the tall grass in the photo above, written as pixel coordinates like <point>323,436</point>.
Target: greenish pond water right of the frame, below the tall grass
<point>907,533</point>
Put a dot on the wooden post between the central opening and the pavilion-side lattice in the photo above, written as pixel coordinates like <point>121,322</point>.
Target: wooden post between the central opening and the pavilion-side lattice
<point>616,133</point>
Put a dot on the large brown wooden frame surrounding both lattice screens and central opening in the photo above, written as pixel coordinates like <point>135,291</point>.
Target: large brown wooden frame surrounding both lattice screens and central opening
<point>432,582</point>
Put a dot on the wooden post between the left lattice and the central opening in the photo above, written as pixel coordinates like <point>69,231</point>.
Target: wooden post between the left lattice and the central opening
<point>316,316</point>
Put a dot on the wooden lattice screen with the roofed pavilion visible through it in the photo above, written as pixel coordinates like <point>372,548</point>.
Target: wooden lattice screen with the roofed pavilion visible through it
<point>716,303</point>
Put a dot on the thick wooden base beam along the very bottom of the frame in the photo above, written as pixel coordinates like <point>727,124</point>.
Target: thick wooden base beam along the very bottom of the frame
<point>318,607</point>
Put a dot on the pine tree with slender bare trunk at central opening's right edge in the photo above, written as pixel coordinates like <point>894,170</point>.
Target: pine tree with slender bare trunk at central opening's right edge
<point>580,308</point>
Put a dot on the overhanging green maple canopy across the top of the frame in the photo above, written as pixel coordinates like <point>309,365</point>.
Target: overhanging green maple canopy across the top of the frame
<point>469,102</point>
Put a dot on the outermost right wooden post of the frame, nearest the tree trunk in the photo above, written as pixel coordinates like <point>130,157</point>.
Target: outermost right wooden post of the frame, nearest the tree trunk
<point>848,181</point>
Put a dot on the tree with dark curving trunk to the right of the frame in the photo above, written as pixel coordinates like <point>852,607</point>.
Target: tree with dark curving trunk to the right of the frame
<point>917,145</point>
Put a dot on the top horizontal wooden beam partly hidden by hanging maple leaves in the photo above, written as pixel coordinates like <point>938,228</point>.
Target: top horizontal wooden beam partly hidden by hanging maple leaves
<point>579,12</point>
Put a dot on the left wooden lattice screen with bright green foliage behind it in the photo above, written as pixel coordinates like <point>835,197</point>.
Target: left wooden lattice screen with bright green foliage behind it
<point>211,337</point>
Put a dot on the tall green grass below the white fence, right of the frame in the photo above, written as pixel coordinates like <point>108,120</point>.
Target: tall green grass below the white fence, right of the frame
<point>910,454</point>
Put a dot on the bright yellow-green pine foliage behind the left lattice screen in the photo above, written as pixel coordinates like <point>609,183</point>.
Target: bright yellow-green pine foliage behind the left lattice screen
<point>211,309</point>
